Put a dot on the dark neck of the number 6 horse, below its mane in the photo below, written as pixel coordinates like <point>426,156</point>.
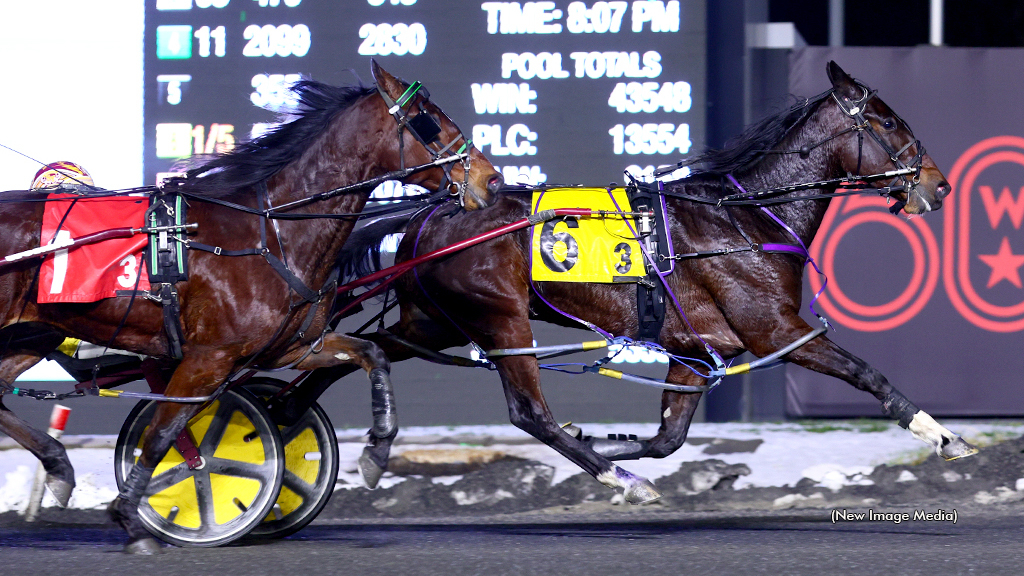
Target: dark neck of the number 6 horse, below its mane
<point>787,170</point>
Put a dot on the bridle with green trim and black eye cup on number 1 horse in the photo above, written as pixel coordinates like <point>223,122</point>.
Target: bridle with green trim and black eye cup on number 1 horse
<point>428,132</point>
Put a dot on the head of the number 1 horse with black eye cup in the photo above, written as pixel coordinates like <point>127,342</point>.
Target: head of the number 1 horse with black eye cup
<point>428,134</point>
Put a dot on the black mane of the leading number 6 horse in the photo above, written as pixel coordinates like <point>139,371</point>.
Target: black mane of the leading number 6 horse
<point>747,150</point>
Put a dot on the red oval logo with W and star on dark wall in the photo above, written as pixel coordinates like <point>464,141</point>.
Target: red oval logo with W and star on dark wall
<point>984,258</point>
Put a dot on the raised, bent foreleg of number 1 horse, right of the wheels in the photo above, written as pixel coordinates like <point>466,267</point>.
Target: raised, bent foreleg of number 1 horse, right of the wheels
<point>338,350</point>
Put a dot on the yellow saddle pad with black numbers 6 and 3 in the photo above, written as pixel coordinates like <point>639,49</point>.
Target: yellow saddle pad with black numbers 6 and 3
<point>596,250</point>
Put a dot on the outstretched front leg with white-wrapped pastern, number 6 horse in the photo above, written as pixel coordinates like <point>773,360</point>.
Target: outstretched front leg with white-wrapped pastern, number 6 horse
<point>822,355</point>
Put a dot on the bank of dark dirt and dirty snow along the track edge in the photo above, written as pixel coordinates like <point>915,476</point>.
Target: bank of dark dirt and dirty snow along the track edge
<point>510,485</point>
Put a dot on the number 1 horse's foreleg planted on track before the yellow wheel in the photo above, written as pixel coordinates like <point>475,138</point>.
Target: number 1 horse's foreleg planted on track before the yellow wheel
<point>201,372</point>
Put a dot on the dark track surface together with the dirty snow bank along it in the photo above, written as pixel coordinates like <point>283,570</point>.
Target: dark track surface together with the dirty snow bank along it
<point>506,518</point>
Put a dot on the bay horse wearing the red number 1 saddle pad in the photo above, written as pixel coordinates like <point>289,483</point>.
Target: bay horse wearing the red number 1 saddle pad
<point>242,312</point>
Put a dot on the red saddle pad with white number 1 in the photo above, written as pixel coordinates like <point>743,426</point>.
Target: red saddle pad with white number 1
<point>94,272</point>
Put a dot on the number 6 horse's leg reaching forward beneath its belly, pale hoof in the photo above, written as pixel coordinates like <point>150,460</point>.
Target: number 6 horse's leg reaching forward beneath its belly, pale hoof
<point>530,413</point>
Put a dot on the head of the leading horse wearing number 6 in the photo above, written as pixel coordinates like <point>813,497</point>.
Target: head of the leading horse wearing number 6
<point>884,143</point>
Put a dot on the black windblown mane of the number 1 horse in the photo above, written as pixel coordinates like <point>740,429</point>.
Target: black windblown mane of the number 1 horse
<point>254,161</point>
